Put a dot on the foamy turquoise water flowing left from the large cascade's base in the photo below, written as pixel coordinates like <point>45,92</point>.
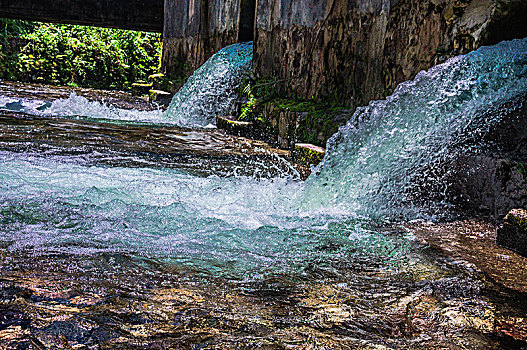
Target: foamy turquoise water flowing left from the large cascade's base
<point>237,225</point>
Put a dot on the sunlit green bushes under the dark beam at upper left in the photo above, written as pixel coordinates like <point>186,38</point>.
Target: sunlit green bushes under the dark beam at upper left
<point>77,56</point>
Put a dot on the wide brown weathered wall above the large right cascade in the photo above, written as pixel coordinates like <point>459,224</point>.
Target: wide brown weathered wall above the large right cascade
<point>353,51</point>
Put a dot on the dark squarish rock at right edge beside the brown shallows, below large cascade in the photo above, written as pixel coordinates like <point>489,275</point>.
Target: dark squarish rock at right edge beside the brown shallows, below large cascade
<point>513,233</point>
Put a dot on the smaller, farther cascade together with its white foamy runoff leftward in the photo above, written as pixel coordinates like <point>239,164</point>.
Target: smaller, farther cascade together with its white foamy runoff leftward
<point>209,92</point>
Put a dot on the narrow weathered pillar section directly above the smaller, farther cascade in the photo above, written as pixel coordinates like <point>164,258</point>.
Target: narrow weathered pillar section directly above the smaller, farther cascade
<point>196,29</point>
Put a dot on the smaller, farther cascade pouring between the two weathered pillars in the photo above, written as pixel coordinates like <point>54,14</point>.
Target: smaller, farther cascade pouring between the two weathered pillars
<point>211,90</point>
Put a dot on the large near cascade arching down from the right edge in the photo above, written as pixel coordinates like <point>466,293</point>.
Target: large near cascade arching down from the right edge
<point>372,160</point>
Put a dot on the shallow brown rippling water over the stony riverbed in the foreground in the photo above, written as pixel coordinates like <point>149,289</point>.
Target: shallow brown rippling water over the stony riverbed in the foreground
<point>471,294</point>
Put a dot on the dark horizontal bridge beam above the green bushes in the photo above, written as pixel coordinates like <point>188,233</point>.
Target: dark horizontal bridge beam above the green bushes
<point>144,15</point>
